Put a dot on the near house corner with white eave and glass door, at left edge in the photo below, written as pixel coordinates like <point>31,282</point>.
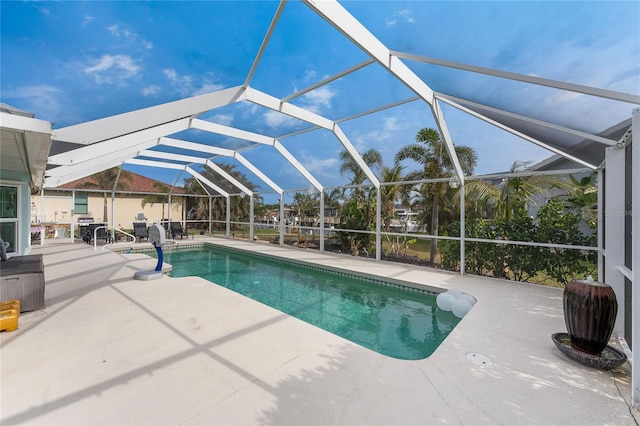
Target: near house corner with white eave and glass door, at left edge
<point>24,151</point>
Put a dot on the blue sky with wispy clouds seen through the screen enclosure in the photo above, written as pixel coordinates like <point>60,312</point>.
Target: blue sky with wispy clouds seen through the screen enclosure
<point>70,62</point>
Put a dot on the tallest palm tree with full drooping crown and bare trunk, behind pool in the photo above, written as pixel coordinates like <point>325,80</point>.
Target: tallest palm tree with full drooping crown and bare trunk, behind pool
<point>431,152</point>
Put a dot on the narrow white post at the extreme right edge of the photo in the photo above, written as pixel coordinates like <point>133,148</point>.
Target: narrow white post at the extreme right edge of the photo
<point>635,263</point>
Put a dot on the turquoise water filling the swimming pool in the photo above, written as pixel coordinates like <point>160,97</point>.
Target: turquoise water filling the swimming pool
<point>393,321</point>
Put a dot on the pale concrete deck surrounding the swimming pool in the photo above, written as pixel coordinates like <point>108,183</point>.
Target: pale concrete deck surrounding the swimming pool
<point>111,350</point>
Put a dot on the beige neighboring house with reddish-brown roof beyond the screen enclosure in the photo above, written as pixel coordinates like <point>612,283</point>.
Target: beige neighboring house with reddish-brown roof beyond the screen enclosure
<point>80,201</point>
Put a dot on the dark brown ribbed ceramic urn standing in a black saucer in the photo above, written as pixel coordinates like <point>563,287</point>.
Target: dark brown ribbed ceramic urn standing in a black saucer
<point>590,309</point>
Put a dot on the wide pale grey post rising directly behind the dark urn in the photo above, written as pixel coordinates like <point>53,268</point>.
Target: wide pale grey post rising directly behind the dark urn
<point>614,228</point>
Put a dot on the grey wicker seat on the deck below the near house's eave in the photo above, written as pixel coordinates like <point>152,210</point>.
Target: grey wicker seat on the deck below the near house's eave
<point>22,278</point>
